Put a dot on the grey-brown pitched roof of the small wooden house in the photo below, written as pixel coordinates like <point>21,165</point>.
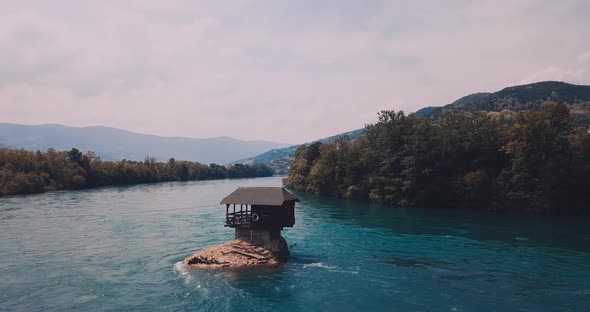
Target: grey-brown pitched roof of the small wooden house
<point>271,196</point>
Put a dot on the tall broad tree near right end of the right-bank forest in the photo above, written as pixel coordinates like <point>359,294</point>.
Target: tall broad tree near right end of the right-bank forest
<point>539,158</point>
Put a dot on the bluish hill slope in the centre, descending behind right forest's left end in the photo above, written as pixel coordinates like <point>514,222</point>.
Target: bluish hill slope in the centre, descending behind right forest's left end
<point>280,159</point>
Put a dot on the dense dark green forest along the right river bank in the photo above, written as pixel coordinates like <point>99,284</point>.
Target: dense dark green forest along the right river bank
<point>535,162</point>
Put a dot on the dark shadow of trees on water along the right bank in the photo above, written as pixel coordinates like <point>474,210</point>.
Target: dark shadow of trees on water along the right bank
<point>513,230</point>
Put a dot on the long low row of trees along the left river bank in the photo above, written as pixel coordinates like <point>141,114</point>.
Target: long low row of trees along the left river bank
<point>27,172</point>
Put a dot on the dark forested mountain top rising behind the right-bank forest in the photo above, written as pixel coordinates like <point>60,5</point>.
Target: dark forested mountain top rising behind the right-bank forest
<point>521,98</point>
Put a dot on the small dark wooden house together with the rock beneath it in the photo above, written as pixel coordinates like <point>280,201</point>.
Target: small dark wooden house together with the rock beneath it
<point>258,214</point>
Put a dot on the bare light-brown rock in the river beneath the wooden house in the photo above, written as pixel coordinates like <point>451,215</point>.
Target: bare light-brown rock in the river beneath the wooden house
<point>239,253</point>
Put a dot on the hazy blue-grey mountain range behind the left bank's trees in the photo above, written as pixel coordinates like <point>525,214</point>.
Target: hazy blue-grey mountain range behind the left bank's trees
<point>116,144</point>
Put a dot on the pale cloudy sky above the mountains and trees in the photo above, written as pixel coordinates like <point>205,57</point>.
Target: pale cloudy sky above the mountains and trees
<point>284,71</point>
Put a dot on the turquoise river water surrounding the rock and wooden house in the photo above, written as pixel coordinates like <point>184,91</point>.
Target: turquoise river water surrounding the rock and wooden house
<point>118,249</point>
